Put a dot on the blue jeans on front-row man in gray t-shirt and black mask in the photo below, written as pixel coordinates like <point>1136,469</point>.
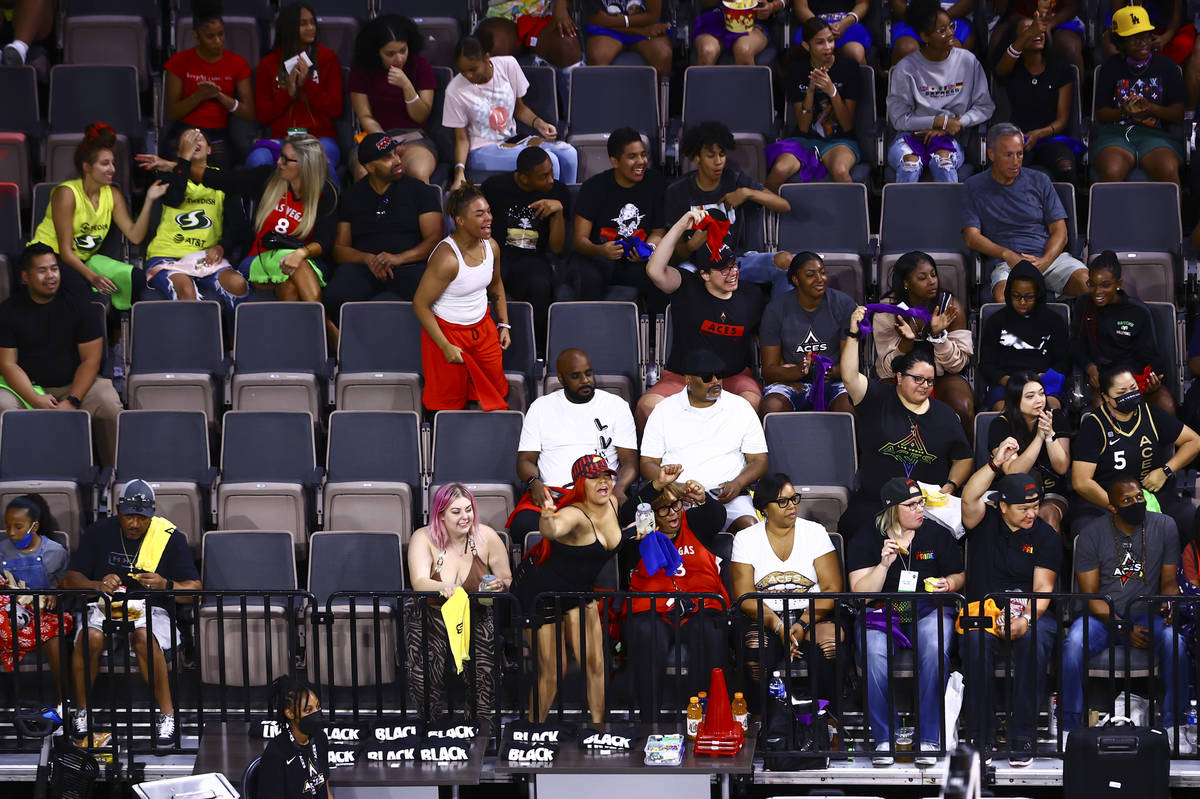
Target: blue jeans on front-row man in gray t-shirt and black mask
<point>1100,636</point>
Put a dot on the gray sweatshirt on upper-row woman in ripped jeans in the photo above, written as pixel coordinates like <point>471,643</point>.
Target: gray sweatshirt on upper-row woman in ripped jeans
<point>921,89</point>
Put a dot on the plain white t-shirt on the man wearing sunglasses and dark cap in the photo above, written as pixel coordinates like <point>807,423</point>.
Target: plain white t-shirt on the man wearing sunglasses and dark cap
<point>710,443</point>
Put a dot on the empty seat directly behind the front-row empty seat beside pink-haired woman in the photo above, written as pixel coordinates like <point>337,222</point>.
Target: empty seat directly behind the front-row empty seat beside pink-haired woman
<point>374,472</point>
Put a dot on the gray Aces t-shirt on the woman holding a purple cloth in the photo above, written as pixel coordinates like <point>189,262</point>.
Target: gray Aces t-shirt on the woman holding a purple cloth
<point>797,332</point>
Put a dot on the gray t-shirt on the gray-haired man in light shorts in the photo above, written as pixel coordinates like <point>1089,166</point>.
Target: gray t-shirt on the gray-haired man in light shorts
<point>1016,217</point>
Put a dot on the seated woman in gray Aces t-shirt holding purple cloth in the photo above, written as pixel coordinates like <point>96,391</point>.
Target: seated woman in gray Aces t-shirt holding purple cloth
<point>796,328</point>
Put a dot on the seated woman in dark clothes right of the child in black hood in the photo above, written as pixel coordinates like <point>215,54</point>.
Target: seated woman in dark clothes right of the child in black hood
<point>1111,328</point>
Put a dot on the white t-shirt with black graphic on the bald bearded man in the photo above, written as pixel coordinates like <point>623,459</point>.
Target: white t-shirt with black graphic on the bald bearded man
<point>562,432</point>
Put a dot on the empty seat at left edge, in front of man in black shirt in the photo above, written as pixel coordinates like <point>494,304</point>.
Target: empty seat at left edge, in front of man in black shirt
<point>50,453</point>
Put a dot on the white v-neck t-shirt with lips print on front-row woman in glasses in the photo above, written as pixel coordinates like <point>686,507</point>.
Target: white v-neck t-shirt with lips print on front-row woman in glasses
<point>797,574</point>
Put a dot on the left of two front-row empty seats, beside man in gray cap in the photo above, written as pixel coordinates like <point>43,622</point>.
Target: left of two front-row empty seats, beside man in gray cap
<point>255,652</point>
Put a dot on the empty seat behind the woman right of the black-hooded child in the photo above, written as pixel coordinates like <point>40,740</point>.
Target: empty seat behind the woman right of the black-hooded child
<point>1142,224</point>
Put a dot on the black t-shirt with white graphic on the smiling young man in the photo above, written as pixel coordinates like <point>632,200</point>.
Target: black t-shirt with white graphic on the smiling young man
<point>617,212</point>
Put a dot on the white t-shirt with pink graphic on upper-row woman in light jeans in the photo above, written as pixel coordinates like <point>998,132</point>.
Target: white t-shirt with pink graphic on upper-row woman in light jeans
<point>487,110</point>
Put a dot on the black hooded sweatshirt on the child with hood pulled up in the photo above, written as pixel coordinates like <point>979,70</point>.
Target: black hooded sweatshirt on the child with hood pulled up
<point>1012,344</point>
